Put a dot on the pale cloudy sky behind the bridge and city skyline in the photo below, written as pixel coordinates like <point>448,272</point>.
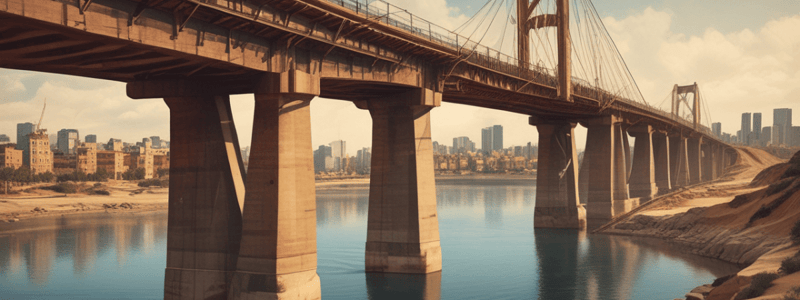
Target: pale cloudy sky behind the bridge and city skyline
<point>745,55</point>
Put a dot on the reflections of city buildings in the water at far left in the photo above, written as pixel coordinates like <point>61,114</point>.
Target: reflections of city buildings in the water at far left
<point>35,247</point>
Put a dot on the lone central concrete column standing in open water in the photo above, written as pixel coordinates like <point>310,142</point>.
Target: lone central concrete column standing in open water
<point>402,226</point>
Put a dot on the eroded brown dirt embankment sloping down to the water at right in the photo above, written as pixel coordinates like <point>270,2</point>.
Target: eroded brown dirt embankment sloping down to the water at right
<point>744,217</point>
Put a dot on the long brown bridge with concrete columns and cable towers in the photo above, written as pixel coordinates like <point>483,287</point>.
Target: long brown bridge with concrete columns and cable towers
<point>240,236</point>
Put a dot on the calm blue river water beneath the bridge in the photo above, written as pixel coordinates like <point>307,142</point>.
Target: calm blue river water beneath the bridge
<point>489,247</point>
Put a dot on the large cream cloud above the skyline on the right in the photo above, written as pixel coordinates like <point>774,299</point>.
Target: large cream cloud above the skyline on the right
<point>750,70</point>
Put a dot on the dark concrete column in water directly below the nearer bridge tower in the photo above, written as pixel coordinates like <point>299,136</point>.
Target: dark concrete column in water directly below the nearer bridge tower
<point>557,199</point>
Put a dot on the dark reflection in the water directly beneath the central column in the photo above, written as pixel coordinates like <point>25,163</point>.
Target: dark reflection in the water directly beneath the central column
<point>404,286</point>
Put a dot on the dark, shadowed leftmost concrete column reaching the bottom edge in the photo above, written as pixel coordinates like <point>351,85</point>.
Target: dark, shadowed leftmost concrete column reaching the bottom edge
<point>205,221</point>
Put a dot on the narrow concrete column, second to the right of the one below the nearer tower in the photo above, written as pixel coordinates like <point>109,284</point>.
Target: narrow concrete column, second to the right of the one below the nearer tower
<point>643,177</point>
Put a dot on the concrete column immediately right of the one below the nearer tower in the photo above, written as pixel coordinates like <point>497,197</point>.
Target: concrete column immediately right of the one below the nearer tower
<point>607,169</point>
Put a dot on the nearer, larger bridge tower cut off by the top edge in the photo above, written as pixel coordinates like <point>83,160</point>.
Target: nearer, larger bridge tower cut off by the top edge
<point>561,21</point>
